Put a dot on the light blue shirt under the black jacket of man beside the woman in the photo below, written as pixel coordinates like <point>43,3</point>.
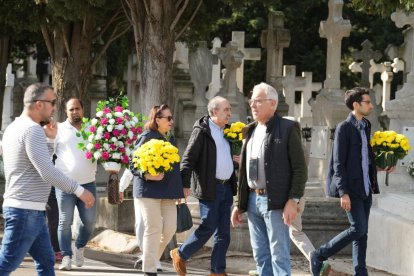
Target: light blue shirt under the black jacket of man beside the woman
<point>224,162</point>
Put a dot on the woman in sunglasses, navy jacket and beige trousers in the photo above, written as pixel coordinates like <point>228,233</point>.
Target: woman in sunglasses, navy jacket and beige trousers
<point>155,196</point>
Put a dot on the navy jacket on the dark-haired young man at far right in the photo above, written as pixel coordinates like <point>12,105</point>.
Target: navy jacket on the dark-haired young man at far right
<point>345,167</point>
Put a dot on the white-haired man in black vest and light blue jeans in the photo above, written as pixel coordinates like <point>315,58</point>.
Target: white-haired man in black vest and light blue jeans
<point>272,179</point>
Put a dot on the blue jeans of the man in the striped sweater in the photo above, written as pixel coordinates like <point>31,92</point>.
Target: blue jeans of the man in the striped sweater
<point>26,231</point>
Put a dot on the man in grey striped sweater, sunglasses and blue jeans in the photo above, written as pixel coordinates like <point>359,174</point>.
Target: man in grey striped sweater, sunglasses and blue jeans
<point>29,173</point>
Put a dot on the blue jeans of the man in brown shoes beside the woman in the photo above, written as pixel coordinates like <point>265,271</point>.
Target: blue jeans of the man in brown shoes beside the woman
<point>215,219</point>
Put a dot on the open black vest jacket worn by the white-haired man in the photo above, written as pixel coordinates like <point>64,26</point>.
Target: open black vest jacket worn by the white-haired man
<point>285,166</point>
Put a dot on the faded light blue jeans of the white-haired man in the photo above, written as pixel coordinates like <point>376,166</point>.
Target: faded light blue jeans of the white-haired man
<point>269,237</point>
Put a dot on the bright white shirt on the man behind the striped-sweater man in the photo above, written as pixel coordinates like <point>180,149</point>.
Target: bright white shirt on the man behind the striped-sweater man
<point>71,160</point>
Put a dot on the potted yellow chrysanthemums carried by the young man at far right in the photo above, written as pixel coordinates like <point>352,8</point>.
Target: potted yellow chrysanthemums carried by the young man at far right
<point>388,147</point>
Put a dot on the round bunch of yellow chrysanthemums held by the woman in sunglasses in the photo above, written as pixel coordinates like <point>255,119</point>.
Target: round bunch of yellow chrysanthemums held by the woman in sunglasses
<point>155,157</point>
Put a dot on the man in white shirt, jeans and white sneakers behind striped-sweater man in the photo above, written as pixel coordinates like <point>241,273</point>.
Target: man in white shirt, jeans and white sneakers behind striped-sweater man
<point>73,163</point>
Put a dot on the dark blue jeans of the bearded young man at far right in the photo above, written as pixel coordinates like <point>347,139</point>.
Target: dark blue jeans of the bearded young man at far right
<point>356,233</point>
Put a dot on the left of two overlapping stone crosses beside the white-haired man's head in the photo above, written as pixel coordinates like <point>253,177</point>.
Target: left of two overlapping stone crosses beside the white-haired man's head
<point>291,83</point>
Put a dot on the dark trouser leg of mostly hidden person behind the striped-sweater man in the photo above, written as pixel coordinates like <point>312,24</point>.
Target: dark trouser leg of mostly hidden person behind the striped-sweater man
<point>52,213</point>
